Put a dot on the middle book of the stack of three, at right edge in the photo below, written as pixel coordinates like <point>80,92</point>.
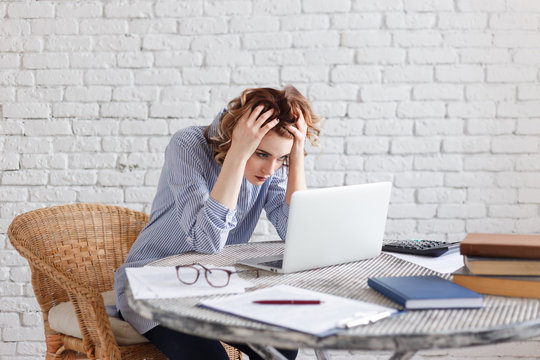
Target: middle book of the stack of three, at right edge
<point>501,266</point>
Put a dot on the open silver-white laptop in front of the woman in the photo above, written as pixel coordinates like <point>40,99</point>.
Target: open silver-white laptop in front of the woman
<point>331,226</point>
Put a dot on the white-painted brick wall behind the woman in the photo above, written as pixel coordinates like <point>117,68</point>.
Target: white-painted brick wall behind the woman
<point>440,96</point>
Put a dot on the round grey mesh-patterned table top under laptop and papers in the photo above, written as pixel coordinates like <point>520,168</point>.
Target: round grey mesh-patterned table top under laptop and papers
<point>500,319</point>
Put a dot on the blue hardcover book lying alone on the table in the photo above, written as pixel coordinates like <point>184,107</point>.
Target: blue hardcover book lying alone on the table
<point>425,292</point>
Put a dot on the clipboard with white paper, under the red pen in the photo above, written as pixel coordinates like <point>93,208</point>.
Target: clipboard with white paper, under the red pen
<point>331,315</point>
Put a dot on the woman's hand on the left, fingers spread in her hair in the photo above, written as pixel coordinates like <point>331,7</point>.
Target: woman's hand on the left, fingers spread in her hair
<point>248,132</point>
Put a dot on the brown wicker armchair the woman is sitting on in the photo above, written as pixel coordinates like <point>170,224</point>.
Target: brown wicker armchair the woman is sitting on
<point>73,251</point>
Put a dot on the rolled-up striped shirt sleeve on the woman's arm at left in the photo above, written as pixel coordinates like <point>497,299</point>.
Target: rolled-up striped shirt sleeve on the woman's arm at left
<point>206,221</point>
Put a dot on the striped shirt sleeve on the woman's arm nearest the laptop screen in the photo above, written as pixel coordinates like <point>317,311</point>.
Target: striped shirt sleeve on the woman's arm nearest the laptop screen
<point>276,208</point>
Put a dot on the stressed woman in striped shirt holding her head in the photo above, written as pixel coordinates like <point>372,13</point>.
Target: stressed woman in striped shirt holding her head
<point>214,184</point>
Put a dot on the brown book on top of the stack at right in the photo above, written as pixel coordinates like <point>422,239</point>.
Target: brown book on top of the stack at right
<point>501,245</point>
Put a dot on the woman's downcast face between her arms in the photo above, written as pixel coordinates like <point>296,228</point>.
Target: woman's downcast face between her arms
<point>272,153</point>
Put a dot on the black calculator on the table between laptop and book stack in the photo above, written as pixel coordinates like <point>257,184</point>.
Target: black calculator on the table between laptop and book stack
<point>432,248</point>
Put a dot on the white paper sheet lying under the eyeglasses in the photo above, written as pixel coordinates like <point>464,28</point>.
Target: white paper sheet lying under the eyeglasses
<point>154,282</point>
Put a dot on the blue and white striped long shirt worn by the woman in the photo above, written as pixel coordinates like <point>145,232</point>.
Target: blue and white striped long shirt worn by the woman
<point>185,218</point>
